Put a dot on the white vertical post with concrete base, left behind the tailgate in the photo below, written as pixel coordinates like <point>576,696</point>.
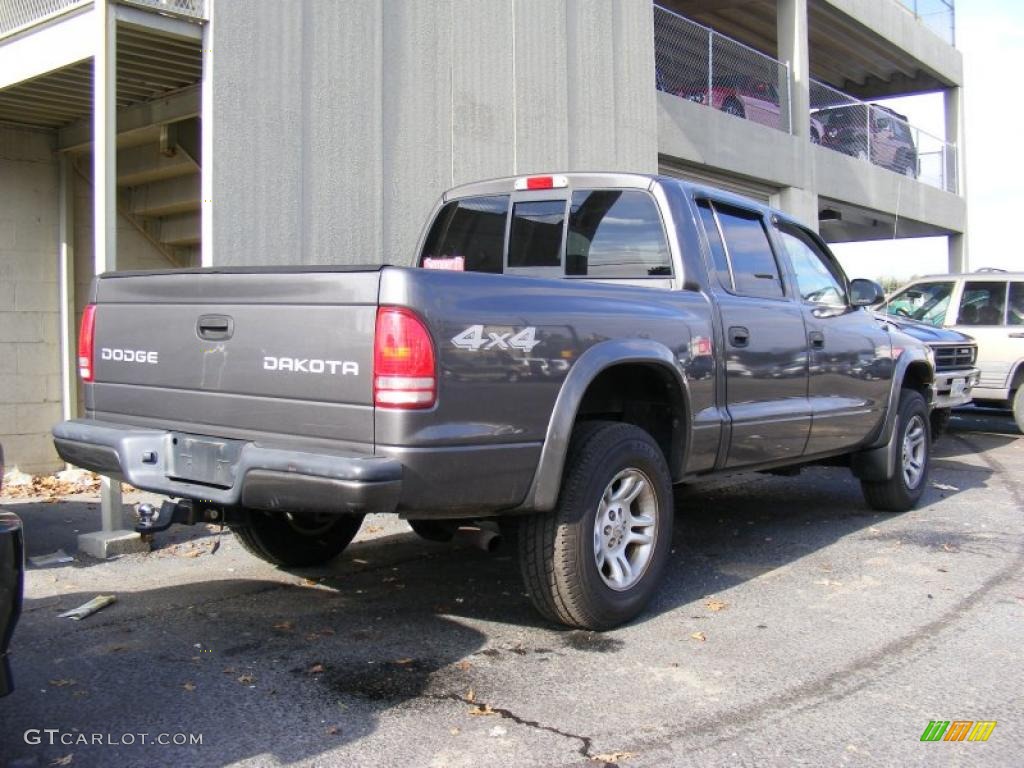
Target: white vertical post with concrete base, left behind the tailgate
<point>114,538</point>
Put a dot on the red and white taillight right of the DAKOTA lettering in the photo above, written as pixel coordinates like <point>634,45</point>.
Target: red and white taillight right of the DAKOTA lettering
<point>405,370</point>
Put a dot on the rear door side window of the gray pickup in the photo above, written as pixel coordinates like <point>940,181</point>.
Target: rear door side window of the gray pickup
<point>752,263</point>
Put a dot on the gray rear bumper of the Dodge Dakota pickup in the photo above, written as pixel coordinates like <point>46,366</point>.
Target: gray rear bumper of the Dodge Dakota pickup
<point>263,477</point>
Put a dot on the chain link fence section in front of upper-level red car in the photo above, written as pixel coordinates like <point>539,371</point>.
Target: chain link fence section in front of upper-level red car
<point>696,63</point>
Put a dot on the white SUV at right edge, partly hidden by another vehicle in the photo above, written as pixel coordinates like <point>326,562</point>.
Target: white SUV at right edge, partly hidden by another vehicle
<point>988,306</point>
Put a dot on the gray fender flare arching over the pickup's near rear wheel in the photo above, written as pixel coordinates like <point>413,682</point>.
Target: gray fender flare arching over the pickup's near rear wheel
<point>543,493</point>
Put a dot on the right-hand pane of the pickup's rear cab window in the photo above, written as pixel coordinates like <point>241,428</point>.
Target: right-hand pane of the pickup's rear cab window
<point>616,234</point>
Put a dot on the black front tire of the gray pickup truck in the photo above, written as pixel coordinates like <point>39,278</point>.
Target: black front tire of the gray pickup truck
<point>898,494</point>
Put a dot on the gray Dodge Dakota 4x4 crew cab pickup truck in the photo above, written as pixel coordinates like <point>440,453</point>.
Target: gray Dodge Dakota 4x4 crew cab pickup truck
<point>568,349</point>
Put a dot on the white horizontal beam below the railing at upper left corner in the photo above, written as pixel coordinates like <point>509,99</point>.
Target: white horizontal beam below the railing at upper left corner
<point>61,44</point>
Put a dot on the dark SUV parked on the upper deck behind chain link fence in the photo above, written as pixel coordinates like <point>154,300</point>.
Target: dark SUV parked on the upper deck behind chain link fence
<point>890,145</point>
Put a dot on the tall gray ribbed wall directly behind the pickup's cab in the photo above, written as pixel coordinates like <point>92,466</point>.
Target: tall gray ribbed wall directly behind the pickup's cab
<point>336,126</point>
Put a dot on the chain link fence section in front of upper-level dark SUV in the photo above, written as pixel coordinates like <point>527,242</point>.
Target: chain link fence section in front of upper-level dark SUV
<point>879,135</point>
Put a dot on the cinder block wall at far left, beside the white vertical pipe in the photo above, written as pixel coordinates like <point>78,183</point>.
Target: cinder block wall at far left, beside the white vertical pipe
<point>30,368</point>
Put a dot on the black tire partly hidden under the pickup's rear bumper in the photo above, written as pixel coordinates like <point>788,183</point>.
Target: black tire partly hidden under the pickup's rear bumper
<point>296,541</point>
